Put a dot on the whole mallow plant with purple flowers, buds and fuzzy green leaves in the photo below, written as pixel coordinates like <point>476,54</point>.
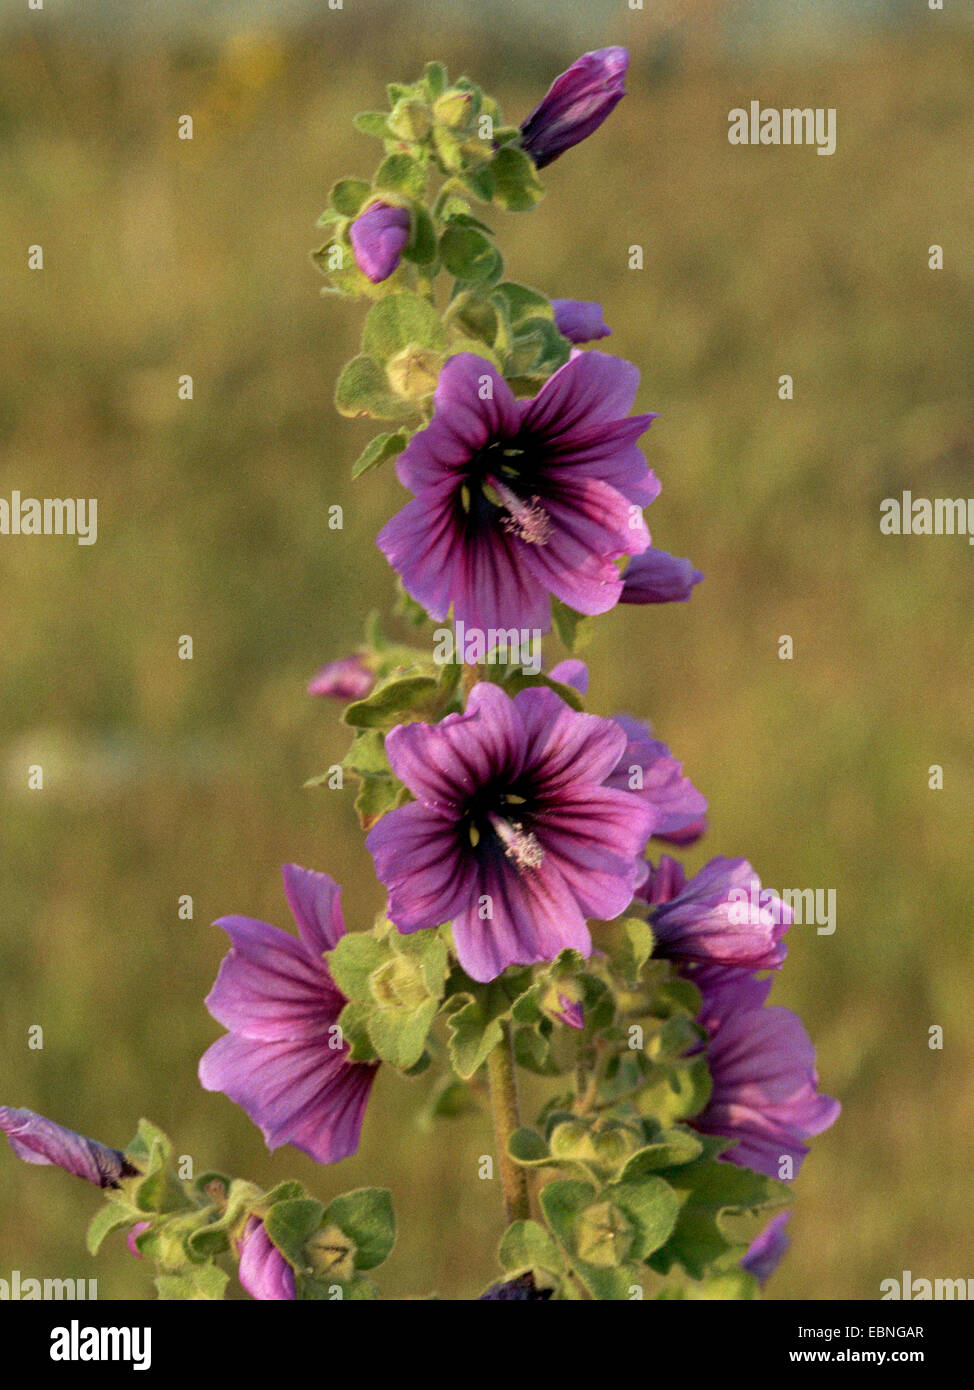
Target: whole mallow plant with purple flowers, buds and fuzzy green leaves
<point>511,829</point>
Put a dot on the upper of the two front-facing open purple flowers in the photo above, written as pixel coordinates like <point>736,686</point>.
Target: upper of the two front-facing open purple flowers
<point>520,500</point>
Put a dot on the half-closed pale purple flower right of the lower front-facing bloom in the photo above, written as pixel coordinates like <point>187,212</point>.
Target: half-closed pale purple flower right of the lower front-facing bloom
<point>723,917</point>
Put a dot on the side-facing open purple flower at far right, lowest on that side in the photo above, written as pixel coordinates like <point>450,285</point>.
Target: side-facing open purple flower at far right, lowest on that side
<point>763,1070</point>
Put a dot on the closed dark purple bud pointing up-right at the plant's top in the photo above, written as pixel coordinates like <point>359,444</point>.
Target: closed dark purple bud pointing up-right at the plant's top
<point>576,105</point>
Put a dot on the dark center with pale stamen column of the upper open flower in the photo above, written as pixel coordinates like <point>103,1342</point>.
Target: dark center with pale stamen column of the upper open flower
<point>502,490</point>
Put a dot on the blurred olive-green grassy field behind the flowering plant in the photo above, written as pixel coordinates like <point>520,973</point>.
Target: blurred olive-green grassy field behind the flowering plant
<point>167,778</point>
